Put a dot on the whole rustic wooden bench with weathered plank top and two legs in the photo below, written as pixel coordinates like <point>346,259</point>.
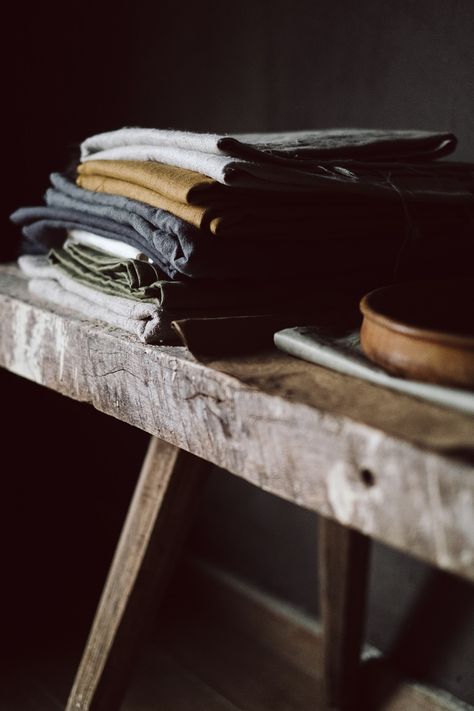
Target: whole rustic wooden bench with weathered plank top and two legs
<point>372,463</point>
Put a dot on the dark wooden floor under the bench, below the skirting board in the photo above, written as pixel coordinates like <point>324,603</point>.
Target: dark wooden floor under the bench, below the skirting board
<point>198,659</point>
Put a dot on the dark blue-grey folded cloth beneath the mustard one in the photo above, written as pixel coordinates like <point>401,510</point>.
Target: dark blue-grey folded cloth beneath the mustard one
<point>182,250</point>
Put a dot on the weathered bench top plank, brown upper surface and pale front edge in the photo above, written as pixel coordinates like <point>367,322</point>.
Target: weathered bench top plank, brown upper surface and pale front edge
<point>391,467</point>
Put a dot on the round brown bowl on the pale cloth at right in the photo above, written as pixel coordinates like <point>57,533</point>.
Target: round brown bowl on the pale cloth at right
<point>422,330</point>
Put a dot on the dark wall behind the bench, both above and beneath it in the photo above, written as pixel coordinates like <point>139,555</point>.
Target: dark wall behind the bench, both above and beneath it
<point>75,69</point>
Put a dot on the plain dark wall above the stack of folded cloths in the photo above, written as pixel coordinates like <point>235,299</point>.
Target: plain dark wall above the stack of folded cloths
<point>73,69</point>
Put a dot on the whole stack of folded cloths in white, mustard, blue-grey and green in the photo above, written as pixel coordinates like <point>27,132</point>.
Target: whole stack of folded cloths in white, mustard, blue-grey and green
<point>156,225</point>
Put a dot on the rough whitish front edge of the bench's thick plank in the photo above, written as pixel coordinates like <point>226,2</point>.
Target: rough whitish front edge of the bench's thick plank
<point>341,468</point>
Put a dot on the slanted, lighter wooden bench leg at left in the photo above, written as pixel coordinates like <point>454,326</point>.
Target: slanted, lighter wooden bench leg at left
<point>157,521</point>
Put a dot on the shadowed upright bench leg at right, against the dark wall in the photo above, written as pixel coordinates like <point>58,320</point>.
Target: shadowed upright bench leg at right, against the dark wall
<point>344,564</point>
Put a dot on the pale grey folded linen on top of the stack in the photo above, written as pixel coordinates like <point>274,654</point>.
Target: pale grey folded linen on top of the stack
<point>279,161</point>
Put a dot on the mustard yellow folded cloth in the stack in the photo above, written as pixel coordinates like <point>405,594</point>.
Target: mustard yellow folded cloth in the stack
<point>230,212</point>
